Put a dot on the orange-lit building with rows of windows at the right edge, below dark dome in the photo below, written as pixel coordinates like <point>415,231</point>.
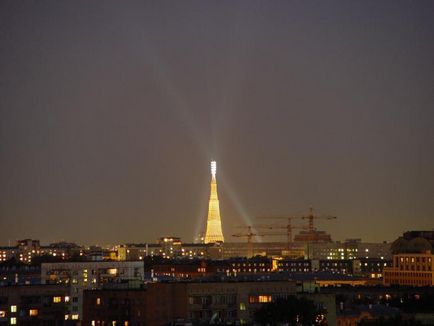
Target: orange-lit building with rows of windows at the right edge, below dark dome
<point>411,269</point>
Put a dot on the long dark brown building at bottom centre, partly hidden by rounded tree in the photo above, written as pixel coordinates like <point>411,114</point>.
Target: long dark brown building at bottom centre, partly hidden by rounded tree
<point>192,303</point>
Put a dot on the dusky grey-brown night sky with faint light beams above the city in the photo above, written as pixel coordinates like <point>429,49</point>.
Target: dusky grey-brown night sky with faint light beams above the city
<point>111,112</point>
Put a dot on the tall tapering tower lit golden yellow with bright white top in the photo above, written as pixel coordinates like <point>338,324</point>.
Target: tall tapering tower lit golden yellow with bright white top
<point>214,224</point>
